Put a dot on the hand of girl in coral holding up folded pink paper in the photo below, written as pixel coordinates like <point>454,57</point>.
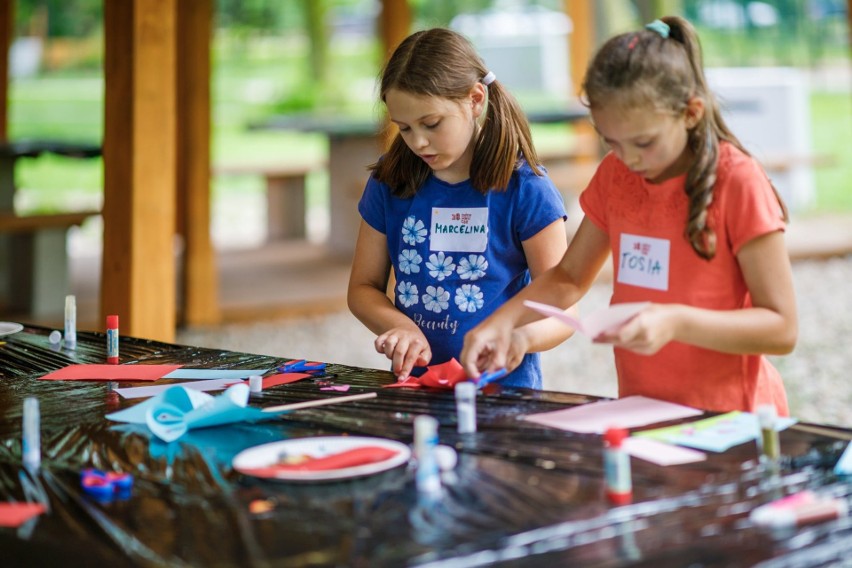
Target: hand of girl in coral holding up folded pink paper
<point>646,333</point>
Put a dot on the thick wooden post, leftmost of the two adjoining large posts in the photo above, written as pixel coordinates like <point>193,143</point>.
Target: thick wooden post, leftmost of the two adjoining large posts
<point>138,268</point>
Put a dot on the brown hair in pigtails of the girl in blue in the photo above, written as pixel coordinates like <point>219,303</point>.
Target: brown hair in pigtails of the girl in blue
<point>442,63</point>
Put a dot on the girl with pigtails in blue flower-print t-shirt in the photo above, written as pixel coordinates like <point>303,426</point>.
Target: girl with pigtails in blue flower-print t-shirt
<point>458,207</point>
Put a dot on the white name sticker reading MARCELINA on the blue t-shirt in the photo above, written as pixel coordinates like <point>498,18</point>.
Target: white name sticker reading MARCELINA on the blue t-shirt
<point>459,230</point>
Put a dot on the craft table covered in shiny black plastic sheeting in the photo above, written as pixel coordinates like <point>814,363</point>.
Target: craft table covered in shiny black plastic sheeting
<point>522,494</point>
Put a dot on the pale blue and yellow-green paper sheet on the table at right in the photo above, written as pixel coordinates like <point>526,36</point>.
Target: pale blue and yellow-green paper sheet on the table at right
<point>715,434</point>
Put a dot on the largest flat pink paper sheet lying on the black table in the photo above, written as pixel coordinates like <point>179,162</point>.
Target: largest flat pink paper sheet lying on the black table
<point>629,412</point>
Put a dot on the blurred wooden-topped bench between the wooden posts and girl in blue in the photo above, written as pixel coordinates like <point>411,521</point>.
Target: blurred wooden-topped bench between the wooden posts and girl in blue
<point>286,194</point>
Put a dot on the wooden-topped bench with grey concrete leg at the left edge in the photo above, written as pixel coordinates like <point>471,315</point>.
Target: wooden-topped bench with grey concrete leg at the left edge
<point>34,275</point>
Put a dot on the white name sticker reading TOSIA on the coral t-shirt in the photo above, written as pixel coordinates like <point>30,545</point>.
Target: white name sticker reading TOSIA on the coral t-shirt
<point>644,262</point>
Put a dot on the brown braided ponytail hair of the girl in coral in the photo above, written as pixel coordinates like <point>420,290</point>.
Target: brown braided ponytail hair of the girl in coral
<point>645,68</point>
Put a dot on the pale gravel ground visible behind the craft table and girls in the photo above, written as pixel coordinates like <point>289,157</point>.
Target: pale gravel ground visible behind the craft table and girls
<point>816,374</point>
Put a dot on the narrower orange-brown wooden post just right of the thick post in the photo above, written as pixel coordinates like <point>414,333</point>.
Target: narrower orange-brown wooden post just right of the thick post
<point>199,279</point>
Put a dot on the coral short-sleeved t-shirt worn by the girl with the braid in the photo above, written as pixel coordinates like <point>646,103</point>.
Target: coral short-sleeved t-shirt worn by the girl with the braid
<point>654,261</point>
